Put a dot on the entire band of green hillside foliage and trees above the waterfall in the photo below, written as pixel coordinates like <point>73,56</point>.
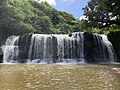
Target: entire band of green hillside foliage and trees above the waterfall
<point>24,16</point>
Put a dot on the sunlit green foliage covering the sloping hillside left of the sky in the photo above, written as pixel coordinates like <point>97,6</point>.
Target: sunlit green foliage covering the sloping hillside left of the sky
<point>31,16</point>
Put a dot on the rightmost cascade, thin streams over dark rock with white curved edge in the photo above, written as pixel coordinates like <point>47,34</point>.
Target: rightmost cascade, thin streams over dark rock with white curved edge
<point>103,50</point>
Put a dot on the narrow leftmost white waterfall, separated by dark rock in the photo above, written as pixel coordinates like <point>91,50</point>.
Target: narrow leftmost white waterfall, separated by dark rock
<point>10,49</point>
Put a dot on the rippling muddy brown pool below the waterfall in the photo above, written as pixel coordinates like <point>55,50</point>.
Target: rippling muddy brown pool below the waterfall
<point>59,77</point>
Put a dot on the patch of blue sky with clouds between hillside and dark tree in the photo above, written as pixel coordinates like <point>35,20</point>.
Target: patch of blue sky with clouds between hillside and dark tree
<point>71,6</point>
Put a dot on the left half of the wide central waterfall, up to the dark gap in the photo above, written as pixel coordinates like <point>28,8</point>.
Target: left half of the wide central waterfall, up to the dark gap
<point>40,48</point>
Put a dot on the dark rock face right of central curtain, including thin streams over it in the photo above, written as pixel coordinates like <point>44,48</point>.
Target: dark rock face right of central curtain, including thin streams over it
<point>97,48</point>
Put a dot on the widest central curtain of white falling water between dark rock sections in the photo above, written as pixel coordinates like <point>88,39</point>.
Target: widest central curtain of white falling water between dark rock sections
<point>56,48</point>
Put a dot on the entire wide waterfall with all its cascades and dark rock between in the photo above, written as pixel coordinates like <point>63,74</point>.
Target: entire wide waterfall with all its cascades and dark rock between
<point>78,47</point>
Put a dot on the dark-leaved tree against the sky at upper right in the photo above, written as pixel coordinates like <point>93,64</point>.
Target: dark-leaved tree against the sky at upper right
<point>102,13</point>
